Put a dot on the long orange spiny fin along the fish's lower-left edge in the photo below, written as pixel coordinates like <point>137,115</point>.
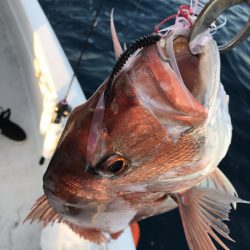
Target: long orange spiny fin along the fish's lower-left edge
<point>43,212</point>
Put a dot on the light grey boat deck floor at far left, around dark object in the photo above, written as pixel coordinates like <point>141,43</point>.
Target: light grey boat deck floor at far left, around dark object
<point>21,176</point>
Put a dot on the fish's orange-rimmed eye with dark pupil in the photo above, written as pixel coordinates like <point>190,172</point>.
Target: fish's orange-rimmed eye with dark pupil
<point>113,166</point>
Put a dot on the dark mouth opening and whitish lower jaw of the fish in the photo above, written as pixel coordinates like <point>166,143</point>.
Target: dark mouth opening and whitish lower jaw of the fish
<point>199,73</point>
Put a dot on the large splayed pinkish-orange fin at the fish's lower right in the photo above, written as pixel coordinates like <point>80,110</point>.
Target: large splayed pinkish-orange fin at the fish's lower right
<point>204,209</point>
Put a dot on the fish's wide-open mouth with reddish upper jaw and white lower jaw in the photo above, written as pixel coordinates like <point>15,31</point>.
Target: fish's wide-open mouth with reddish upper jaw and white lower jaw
<point>178,92</point>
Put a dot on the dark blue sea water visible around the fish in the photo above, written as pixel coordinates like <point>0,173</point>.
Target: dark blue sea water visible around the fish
<point>71,19</point>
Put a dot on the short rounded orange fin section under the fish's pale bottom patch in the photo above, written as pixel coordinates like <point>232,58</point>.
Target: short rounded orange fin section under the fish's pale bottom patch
<point>93,235</point>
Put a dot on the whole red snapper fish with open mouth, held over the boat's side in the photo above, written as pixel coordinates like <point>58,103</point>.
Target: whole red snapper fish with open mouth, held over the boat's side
<point>148,141</point>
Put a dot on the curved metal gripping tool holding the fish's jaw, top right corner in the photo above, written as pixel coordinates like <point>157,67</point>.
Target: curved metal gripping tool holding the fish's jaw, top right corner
<point>209,13</point>
